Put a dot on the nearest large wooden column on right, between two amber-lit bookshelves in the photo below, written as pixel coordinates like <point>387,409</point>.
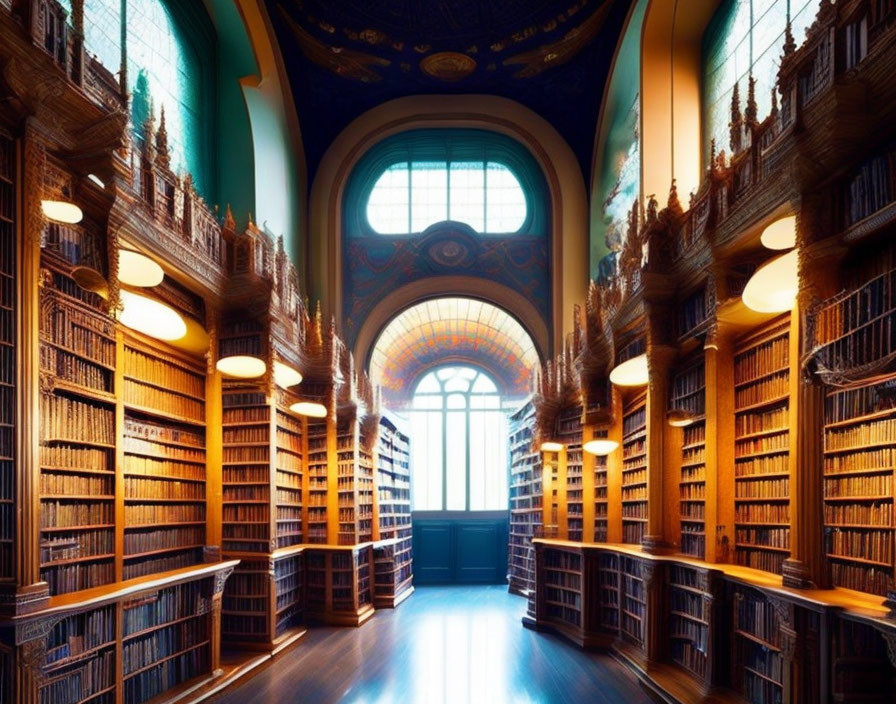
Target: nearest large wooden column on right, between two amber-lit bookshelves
<point>818,267</point>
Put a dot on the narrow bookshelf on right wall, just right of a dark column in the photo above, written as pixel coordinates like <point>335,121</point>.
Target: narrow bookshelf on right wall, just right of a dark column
<point>688,396</point>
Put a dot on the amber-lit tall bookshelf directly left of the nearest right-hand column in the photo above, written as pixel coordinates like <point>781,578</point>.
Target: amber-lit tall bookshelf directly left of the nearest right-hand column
<point>761,450</point>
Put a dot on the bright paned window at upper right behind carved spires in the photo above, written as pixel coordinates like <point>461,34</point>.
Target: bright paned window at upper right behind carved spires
<point>745,36</point>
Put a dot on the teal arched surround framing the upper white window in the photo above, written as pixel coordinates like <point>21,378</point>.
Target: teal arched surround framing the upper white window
<point>446,145</point>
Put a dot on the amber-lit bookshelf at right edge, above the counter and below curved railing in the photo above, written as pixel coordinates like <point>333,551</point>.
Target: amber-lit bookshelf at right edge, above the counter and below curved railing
<point>859,456</point>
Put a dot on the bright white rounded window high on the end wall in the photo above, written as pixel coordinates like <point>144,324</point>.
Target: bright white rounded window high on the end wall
<point>409,196</point>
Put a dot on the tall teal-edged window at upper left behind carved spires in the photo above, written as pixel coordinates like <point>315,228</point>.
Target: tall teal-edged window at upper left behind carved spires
<point>164,72</point>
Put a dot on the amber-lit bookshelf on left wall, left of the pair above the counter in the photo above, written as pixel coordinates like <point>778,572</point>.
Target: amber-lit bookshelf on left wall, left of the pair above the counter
<point>78,356</point>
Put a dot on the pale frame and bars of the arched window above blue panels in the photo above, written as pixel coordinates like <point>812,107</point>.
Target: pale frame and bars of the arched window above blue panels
<point>443,410</point>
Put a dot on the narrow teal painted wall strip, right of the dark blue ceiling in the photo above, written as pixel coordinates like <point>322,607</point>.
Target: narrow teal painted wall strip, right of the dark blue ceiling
<point>617,171</point>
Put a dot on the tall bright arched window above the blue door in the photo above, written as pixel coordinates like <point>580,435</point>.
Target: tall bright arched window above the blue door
<point>460,442</point>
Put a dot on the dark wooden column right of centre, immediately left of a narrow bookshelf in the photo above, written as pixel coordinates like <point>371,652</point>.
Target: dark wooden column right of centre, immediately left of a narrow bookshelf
<point>659,361</point>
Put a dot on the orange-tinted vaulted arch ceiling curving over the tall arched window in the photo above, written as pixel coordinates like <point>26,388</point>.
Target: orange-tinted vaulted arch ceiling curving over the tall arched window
<point>452,330</point>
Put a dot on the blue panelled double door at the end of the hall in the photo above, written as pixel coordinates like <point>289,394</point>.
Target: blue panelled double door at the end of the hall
<point>460,547</point>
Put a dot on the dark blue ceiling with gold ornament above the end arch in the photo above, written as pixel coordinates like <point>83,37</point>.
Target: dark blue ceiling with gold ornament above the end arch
<point>344,57</point>
